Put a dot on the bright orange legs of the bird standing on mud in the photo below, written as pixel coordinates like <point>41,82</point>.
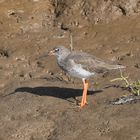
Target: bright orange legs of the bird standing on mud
<point>84,96</point>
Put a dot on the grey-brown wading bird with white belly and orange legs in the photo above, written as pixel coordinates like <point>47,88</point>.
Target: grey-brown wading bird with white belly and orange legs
<point>81,65</point>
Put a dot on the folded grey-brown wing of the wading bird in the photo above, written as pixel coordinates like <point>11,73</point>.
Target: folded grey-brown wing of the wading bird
<point>91,63</point>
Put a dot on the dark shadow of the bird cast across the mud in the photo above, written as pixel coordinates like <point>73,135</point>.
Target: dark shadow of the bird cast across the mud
<point>58,92</point>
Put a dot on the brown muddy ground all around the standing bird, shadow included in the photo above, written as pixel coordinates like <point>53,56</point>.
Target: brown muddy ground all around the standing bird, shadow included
<point>37,99</point>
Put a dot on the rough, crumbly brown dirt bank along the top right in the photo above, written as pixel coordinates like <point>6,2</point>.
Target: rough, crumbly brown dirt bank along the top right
<point>70,14</point>
